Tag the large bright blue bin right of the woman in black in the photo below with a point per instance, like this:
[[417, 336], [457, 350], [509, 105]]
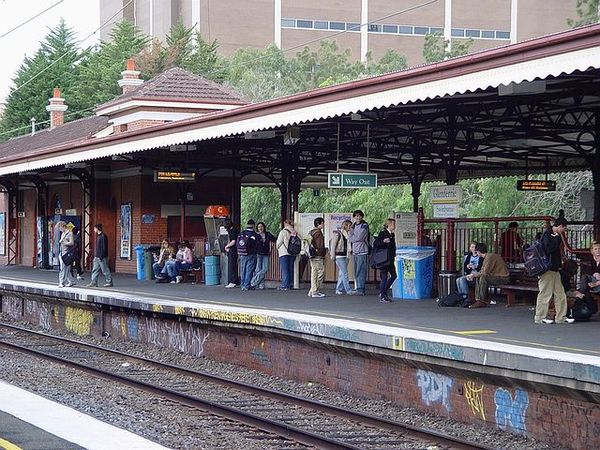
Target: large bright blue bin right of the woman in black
[[414, 266]]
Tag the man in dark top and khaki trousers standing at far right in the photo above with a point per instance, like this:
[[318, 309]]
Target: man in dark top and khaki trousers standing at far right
[[549, 283]]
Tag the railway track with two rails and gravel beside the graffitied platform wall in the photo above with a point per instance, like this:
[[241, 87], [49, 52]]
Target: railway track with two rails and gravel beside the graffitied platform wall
[[303, 421]]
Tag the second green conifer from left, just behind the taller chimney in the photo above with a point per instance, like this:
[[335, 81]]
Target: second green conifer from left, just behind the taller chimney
[[102, 66]]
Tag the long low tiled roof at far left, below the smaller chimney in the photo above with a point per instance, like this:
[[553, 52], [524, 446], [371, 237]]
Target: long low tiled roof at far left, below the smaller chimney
[[75, 131]]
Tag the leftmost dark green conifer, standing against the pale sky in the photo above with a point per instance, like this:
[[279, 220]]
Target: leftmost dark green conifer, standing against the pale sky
[[54, 64]]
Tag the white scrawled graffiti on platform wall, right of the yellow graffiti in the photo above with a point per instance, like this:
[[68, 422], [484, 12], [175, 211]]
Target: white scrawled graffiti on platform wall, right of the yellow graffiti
[[187, 339]]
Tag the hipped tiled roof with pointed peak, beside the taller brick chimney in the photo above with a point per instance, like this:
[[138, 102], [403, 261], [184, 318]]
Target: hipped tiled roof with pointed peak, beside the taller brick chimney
[[179, 84]]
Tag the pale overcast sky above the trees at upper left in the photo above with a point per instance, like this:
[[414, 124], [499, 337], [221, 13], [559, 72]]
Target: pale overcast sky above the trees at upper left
[[81, 15]]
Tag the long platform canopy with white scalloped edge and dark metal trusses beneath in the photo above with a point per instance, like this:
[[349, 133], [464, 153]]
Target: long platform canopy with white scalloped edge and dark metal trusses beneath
[[531, 107]]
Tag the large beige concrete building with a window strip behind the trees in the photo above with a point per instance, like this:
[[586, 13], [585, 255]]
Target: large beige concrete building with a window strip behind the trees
[[361, 25]]
